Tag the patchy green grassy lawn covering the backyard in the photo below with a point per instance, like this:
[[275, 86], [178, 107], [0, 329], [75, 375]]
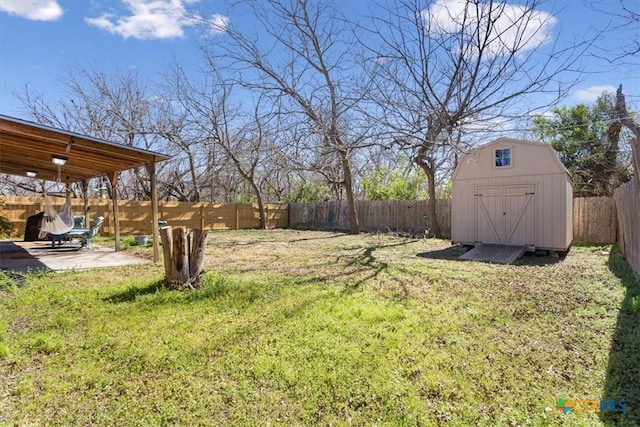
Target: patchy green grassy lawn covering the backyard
[[308, 328]]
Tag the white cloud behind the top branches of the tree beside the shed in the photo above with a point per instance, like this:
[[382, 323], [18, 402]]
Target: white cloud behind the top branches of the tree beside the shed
[[514, 28]]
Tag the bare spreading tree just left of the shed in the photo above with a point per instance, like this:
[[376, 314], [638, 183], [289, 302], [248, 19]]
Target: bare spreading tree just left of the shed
[[446, 65]]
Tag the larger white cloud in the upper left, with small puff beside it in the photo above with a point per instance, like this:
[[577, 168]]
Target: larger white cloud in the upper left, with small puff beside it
[[152, 19]]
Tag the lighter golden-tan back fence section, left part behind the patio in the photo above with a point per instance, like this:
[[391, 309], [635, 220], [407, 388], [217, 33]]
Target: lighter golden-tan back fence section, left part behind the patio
[[135, 216]]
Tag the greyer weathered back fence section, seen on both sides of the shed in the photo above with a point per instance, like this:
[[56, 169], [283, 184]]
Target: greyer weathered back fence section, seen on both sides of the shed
[[594, 218]]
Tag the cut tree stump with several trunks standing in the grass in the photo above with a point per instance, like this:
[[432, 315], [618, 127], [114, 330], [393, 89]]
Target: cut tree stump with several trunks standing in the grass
[[183, 256]]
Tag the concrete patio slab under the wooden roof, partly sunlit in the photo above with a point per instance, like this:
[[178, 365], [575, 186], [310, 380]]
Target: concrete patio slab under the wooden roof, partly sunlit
[[39, 256]]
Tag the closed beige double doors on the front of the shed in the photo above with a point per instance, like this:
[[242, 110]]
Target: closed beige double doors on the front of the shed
[[505, 214]]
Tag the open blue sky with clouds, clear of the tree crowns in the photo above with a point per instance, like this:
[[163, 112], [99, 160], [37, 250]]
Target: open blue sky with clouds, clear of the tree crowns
[[41, 40]]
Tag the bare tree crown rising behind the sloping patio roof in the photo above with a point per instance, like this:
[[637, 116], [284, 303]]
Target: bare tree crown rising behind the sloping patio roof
[[117, 107]]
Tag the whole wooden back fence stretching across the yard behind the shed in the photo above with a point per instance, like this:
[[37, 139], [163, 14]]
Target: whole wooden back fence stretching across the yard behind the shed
[[594, 218]]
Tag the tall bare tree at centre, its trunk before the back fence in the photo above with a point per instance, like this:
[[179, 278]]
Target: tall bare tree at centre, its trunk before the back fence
[[305, 58]]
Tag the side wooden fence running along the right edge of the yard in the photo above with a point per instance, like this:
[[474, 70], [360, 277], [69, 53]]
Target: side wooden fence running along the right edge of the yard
[[627, 199]]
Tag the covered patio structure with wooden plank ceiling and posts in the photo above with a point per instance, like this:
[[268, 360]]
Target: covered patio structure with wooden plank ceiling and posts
[[30, 149]]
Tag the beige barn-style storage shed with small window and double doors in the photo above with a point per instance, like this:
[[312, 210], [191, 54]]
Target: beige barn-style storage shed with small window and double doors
[[512, 192]]
